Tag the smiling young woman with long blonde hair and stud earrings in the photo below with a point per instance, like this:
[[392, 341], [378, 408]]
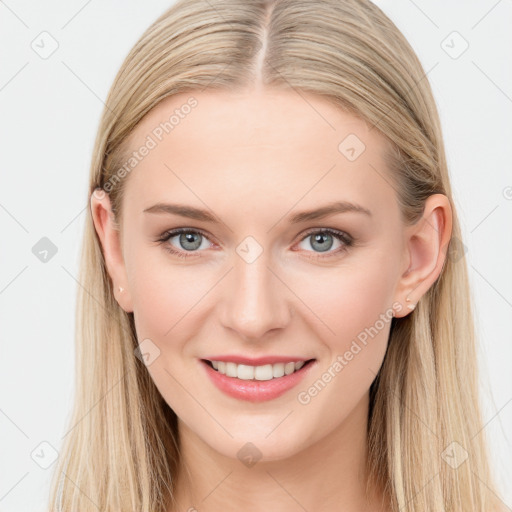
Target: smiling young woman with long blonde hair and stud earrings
[[275, 313]]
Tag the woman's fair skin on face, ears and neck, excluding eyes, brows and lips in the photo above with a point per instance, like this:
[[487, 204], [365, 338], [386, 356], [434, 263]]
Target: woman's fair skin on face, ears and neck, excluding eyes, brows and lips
[[252, 159]]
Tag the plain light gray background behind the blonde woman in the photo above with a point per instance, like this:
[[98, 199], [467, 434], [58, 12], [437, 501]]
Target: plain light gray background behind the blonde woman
[[50, 113]]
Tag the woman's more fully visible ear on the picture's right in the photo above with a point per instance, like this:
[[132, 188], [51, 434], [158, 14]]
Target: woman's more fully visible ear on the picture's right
[[426, 245]]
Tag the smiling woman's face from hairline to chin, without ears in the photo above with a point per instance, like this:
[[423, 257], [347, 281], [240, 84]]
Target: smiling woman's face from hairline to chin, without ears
[[260, 280]]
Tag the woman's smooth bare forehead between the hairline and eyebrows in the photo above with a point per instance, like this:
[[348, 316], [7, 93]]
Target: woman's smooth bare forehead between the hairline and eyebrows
[[279, 147]]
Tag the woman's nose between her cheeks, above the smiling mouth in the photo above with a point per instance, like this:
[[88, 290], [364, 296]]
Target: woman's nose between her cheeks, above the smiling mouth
[[256, 300]]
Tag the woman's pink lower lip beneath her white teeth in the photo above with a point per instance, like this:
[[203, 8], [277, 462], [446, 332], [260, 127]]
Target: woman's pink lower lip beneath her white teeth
[[256, 390]]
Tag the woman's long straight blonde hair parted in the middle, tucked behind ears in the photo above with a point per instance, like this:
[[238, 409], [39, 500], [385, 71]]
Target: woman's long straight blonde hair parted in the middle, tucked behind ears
[[121, 451]]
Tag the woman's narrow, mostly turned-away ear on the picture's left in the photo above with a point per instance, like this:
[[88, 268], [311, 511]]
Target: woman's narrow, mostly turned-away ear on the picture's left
[[109, 235]]
